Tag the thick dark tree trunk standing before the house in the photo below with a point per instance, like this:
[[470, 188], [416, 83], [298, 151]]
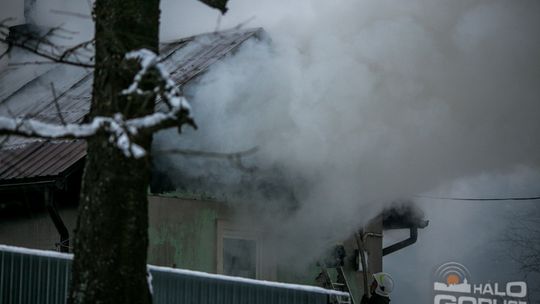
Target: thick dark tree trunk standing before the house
[[112, 229]]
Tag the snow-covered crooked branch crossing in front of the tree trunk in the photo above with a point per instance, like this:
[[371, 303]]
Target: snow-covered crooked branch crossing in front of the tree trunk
[[120, 130]]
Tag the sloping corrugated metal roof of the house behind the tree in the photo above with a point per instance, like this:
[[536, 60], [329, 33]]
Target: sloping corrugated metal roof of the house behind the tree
[[26, 91]]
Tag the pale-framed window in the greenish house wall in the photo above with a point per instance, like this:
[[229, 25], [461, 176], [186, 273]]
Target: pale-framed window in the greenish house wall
[[240, 257]]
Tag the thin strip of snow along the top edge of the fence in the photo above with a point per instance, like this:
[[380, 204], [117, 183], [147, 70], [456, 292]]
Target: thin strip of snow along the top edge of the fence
[[66, 256]]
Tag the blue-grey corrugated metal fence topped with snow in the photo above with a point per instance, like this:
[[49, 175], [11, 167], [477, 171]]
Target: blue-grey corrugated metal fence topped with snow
[[36, 276]]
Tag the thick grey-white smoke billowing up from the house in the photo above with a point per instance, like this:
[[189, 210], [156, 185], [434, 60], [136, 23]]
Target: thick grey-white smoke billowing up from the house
[[359, 103]]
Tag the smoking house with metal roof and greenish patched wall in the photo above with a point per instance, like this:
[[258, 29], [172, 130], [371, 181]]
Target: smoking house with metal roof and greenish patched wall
[[40, 184]]
